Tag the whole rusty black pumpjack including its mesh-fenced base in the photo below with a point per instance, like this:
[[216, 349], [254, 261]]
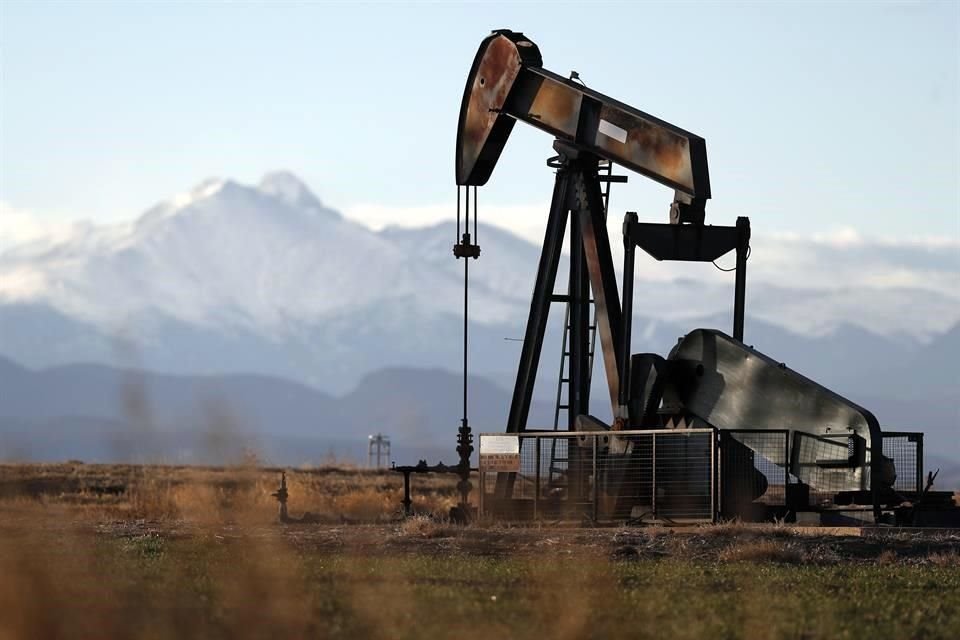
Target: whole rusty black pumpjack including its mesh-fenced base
[[779, 444]]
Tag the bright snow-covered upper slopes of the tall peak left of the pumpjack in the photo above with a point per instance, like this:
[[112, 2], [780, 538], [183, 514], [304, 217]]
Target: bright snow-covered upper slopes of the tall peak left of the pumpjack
[[229, 256]]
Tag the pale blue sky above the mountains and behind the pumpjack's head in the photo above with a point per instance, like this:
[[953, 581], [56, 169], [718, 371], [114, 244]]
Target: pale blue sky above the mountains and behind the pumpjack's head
[[818, 118]]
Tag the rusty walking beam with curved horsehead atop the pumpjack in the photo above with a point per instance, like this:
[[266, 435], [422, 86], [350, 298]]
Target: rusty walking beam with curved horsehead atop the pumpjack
[[508, 83]]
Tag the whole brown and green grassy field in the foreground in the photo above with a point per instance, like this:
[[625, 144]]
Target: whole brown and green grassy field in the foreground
[[96, 551]]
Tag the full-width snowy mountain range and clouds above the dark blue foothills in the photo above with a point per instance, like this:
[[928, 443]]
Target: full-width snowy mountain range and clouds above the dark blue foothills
[[267, 279]]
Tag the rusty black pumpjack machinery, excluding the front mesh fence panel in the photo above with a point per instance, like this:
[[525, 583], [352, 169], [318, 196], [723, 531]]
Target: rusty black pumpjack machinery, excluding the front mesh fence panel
[[709, 379]]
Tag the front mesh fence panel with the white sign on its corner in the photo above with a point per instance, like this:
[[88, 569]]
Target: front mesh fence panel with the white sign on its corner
[[602, 476]]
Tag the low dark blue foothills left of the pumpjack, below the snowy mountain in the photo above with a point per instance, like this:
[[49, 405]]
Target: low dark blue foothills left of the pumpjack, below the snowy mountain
[[100, 413]]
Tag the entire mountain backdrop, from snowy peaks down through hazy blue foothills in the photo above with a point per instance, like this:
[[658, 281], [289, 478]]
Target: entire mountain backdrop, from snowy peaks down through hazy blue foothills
[[313, 329]]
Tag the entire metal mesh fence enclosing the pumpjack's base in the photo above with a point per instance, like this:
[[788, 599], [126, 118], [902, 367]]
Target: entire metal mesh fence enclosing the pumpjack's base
[[683, 475]]
